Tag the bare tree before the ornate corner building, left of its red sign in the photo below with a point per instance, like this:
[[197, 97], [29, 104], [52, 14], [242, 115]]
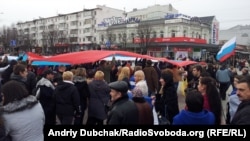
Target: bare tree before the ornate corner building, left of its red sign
[[144, 31]]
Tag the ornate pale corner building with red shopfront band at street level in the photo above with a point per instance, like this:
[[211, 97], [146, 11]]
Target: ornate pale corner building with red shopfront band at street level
[[161, 32]]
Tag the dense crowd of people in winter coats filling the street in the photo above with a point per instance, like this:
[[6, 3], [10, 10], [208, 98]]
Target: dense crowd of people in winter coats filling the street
[[117, 92]]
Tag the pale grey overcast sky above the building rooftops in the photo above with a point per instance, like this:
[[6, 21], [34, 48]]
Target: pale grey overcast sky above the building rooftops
[[228, 12]]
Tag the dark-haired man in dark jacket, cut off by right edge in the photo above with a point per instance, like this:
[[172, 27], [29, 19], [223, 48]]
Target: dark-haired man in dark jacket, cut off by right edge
[[242, 114]]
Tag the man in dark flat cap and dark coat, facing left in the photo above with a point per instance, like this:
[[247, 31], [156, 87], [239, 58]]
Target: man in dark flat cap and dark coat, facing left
[[123, 110]]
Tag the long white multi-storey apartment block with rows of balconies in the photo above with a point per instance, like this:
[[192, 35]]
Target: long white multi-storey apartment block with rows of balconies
[[64, 32]]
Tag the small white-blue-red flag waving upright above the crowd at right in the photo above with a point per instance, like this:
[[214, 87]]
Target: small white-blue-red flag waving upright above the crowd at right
[[226, 50]]
